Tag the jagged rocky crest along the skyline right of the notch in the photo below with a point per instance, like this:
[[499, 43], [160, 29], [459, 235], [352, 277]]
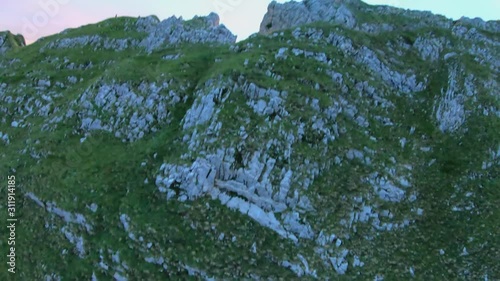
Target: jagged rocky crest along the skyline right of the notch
[[355, 14]]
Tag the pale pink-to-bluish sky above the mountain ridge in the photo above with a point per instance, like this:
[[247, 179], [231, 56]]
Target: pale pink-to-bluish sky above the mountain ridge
[[38, 18]]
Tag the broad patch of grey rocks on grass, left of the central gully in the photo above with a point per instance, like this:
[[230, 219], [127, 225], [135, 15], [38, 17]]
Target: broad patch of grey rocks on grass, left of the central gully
[[135, 111]]
